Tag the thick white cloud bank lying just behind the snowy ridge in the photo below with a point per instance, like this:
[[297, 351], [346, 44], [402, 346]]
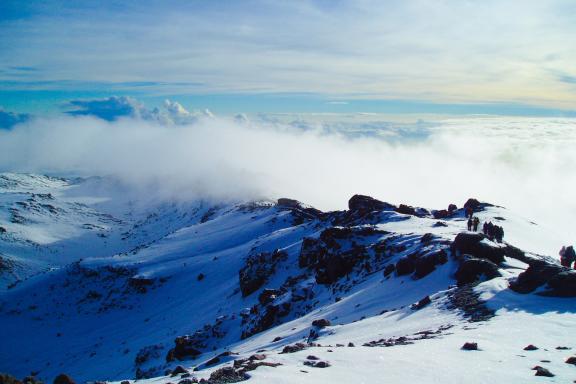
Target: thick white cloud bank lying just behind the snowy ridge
[[524, 164]]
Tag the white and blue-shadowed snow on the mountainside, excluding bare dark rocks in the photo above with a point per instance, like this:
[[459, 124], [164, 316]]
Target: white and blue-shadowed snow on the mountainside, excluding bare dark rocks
[[52, 322]]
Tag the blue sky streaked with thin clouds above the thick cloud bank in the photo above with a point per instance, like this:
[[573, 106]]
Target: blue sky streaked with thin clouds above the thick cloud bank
[[441, 56]]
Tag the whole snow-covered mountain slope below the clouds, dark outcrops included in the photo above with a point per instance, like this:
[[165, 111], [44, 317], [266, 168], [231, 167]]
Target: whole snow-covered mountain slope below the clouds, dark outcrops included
[[110, 289]]
